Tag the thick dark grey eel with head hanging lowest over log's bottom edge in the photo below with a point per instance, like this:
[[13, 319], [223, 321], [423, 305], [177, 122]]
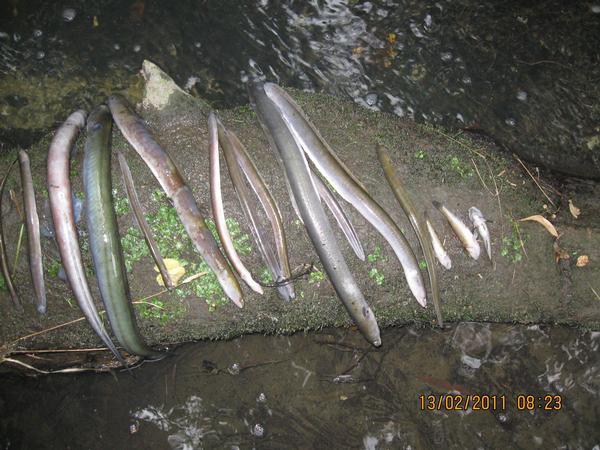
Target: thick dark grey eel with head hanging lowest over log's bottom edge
[[312, 213]]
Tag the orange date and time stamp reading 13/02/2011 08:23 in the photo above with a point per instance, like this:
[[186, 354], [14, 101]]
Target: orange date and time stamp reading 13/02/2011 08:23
[[489, 402]]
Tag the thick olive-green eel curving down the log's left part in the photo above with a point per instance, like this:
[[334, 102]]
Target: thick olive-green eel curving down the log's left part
[[105, 243]]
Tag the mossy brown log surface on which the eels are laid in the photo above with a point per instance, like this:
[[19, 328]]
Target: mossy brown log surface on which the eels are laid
[[524, 284]]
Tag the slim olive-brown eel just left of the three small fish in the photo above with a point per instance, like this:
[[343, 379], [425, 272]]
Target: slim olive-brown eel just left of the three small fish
[[417, 223]]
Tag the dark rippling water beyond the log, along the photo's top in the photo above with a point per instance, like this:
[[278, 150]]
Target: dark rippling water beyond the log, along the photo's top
[[529, 75]]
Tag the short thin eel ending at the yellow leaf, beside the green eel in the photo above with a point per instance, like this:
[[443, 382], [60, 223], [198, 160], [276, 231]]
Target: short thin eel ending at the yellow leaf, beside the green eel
[[138, 213]]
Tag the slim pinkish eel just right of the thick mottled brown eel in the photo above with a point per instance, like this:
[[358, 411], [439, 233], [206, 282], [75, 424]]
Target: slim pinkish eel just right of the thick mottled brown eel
[[216, 200]]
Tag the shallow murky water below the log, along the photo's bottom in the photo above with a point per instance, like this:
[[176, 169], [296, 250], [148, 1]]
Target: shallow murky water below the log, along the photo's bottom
[[329, 390]]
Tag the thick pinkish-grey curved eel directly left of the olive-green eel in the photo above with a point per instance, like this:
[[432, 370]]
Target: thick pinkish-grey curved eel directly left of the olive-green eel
[[61, 206]]
